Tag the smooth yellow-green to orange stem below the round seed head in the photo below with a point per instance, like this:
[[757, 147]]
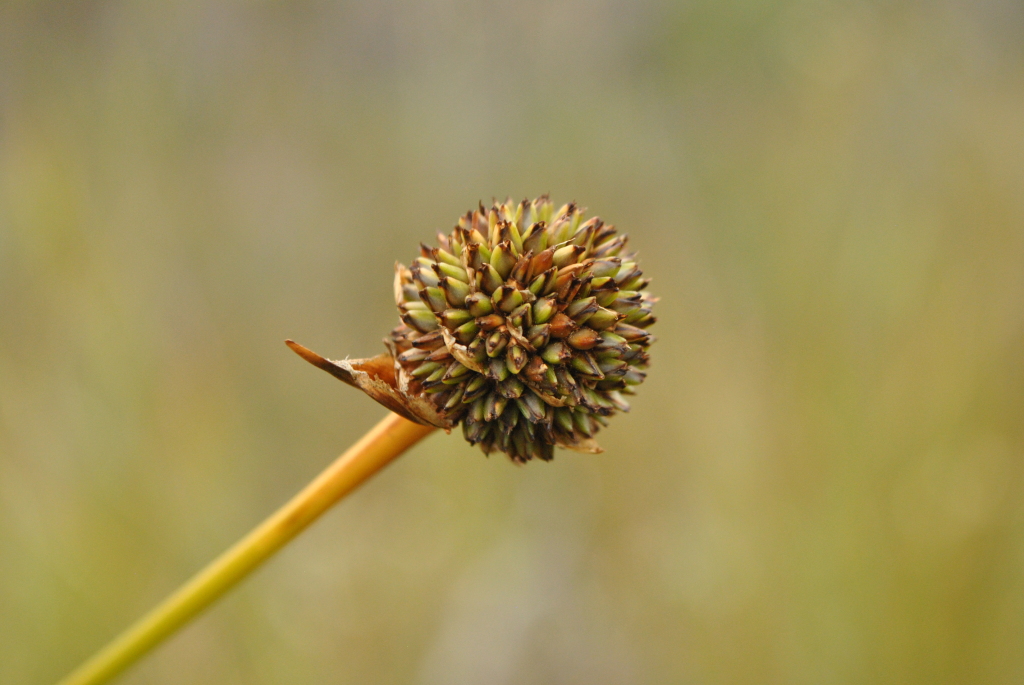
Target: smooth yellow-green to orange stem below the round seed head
[[386, 442]]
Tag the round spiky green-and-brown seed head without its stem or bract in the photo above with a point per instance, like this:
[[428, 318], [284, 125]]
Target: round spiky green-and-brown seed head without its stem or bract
[[526, 324]]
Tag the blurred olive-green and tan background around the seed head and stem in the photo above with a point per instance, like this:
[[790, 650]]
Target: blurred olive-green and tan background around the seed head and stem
[[821, 483]]
